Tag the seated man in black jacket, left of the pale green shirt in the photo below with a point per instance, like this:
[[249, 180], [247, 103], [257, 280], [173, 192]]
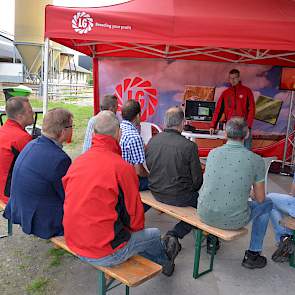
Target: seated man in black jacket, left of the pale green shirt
[[175, 168]]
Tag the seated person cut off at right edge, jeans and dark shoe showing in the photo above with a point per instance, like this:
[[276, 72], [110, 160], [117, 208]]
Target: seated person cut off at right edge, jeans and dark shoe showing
[[282, 205]]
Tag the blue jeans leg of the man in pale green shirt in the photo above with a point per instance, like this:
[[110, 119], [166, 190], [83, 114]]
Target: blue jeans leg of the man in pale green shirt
[[260, 213]]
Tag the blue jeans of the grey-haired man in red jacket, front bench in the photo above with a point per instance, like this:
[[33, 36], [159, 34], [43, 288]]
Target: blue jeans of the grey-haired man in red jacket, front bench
[[146, 242]]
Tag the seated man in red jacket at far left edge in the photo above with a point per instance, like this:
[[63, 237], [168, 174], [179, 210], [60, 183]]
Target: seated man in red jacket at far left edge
[[13, 139]]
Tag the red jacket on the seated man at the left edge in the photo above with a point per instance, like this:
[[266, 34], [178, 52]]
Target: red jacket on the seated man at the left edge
[[13, 139]]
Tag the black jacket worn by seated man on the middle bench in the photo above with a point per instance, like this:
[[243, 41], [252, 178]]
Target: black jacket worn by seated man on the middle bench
[[175, 169]]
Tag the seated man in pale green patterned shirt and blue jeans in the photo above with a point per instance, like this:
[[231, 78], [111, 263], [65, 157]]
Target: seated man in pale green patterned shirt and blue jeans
[[230, 172]]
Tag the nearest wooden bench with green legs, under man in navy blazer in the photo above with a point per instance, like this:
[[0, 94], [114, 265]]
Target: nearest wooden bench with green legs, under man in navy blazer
[[133, 272]]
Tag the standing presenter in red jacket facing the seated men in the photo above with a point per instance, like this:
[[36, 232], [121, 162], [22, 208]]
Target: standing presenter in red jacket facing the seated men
[[235, 101]]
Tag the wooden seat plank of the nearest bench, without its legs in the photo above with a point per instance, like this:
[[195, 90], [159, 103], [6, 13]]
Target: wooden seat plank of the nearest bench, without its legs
[[131, 273]]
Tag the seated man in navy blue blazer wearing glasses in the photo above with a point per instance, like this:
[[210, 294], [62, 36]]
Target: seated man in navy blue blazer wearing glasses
[[37, 195]]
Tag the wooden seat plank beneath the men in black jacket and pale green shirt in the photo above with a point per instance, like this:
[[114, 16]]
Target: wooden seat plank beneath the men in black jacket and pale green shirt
[[189, 215]]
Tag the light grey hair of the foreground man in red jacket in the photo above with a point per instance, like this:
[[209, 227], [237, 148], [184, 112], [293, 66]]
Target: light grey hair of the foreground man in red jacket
[[106, 123]]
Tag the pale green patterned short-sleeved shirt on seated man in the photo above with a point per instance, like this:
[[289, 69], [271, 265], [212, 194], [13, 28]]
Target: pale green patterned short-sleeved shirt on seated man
[[231, 170]]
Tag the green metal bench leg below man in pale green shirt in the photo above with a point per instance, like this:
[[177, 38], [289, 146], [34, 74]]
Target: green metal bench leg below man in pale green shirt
[[198, 244]]
